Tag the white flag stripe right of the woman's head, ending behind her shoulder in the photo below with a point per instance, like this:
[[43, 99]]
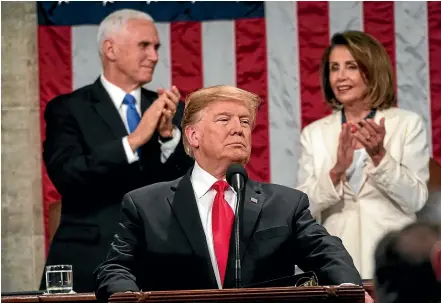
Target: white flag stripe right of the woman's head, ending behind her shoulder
[[412, 60]]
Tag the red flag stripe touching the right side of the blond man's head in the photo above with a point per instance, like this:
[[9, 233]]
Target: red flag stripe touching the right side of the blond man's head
[[251, 75]]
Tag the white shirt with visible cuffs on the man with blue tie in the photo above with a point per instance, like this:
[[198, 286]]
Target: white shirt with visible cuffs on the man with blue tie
[[117, 95]]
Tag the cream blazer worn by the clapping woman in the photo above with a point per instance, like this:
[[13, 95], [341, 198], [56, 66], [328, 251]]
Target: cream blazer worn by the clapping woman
[[390, 194]]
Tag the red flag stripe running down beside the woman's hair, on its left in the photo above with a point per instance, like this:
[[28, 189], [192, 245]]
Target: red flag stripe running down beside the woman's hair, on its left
[[313, 30]]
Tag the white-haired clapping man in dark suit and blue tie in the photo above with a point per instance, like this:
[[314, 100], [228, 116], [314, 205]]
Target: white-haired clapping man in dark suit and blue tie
[[108, 138]]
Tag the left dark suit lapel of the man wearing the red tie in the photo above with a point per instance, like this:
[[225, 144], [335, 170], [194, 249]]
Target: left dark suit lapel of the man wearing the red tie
[[183, 204]]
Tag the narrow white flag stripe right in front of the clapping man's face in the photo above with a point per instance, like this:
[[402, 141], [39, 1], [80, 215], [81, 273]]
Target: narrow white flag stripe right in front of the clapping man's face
[[162, 75]]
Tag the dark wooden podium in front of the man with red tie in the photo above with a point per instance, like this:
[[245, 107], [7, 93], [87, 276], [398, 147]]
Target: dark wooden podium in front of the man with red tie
[[347, 294]]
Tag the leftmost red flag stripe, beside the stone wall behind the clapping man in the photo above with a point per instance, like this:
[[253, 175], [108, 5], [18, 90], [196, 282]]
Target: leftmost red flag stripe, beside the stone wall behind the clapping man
[[55, 76]]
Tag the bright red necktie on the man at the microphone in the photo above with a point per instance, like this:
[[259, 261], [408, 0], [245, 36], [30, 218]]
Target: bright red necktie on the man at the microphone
[[222, 218]]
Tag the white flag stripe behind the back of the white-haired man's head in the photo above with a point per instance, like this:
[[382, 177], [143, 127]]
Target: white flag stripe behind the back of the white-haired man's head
[[86, 62]]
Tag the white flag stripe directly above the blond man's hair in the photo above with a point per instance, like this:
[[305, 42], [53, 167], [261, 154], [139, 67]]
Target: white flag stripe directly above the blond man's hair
[[218, 53]]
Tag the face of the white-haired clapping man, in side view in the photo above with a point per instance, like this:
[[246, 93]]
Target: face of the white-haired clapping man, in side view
[[136, 51]]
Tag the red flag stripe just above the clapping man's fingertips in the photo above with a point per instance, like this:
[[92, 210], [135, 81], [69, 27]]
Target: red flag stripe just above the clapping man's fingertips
[[186, 56]]
